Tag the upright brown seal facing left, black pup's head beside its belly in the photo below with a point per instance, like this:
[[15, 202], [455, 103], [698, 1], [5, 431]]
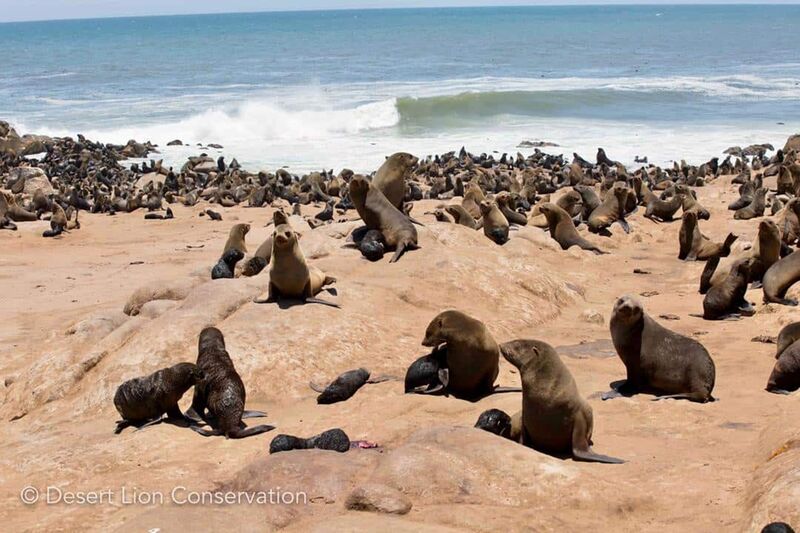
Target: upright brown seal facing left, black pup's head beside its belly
[[555, 419]]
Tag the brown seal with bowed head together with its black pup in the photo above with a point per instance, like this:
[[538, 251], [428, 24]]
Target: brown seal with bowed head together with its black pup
[[466, 366]]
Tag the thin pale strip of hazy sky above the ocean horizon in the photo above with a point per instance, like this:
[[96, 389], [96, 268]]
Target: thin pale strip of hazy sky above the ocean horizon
[[16, 10]]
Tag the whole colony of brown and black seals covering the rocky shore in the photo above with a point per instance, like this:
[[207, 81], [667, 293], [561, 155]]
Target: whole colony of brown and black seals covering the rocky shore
[[574, 203]]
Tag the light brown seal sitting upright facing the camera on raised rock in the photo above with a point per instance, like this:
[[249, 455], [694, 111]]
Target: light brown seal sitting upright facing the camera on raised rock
[[289, 274]]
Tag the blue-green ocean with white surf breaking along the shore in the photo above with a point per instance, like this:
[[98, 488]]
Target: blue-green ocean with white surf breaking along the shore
[[335, 89]]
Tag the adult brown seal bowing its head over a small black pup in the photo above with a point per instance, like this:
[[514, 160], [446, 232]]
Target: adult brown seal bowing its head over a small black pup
[[472, 355]]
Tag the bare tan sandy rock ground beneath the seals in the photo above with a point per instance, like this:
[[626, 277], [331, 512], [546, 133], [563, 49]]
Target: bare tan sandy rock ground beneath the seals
[[65, 345]]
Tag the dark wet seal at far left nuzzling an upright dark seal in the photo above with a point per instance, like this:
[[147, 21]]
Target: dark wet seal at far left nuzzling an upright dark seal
[[143, 401]]
